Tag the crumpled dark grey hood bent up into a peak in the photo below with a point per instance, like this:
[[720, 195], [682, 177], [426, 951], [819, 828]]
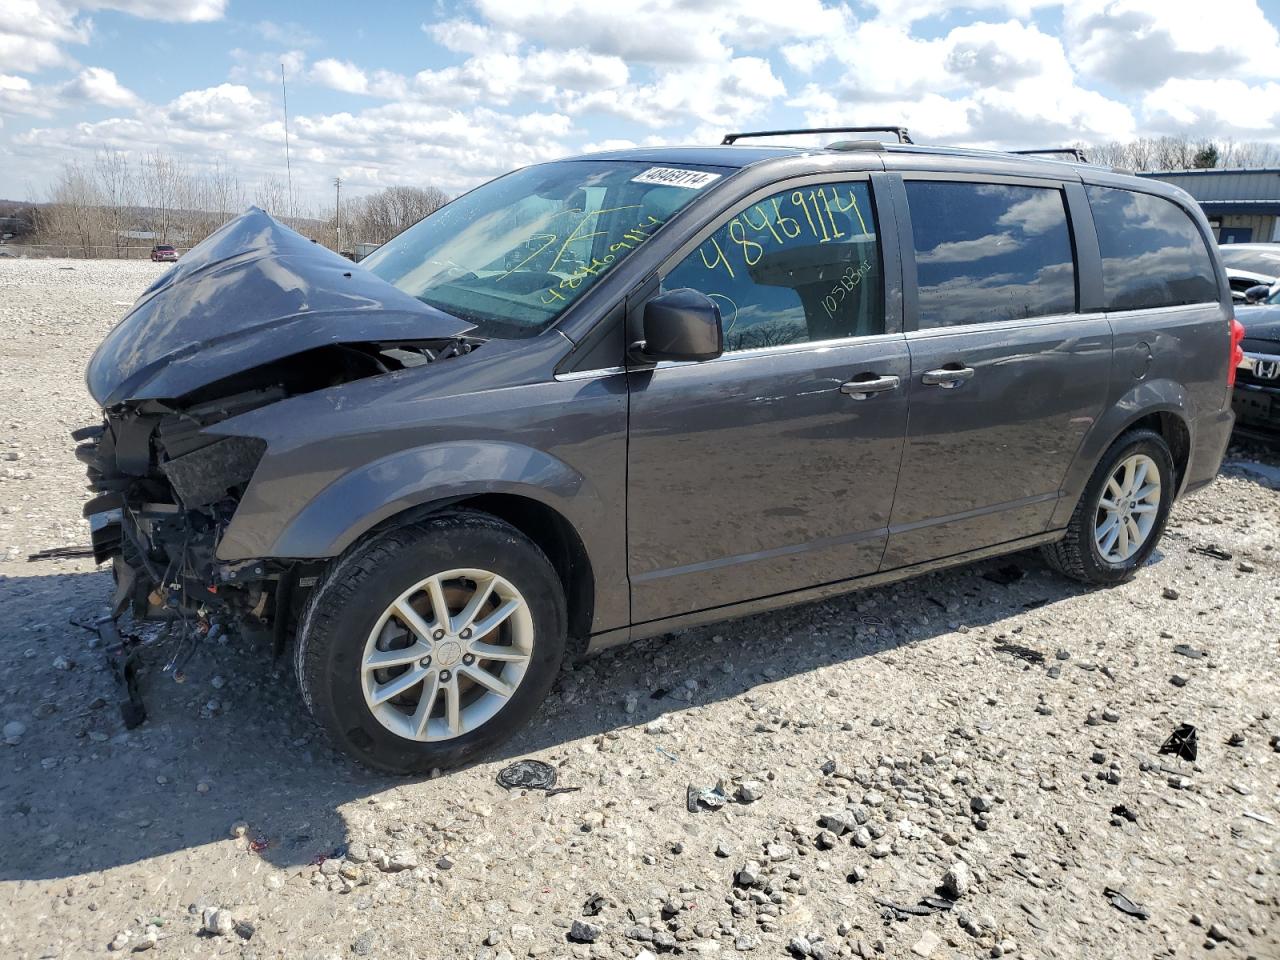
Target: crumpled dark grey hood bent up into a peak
[[253, 292]]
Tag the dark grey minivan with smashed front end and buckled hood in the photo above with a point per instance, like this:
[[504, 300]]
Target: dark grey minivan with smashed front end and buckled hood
[[610, 397]]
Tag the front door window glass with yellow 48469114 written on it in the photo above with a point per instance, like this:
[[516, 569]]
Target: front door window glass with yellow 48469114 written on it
[[803, 266]]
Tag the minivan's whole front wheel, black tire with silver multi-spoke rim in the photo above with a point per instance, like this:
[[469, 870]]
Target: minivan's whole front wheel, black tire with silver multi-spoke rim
[[350, 619]]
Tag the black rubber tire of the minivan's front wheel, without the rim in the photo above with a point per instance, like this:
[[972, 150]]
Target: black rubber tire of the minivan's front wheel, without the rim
[[363, 583]]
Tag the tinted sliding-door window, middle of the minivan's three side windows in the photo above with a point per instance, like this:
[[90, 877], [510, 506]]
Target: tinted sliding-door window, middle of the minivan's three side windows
[[990, 252]]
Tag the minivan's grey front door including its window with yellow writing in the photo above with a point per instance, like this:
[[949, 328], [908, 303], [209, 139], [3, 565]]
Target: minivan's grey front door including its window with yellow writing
[[772, 468]]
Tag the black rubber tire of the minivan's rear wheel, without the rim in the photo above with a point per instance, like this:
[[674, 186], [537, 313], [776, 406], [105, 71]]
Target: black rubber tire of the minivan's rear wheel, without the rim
[[1077, 555]]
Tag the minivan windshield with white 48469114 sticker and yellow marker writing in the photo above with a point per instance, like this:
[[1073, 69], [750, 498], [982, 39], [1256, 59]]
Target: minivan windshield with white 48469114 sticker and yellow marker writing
[[513, 255]]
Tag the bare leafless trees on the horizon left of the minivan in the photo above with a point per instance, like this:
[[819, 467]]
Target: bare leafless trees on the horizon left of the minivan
[[117, 208]]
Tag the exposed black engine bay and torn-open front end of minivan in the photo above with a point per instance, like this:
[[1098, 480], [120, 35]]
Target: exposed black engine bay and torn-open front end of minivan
[[167, 487]]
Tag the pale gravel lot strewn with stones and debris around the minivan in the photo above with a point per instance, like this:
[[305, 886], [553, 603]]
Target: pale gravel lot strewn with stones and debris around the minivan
[[995, 724]]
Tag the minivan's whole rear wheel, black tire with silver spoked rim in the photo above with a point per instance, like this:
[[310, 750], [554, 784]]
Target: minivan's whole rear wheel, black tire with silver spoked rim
[[1122, 515]]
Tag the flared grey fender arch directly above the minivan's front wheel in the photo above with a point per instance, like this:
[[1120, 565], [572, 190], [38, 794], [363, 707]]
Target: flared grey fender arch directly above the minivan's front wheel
[[360, 500]]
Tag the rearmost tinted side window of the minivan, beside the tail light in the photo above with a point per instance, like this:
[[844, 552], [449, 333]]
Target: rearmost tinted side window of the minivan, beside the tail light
[[1153, 254]]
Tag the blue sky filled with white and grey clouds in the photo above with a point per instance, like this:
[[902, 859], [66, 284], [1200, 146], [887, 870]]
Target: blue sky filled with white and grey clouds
[[450, 94]]
